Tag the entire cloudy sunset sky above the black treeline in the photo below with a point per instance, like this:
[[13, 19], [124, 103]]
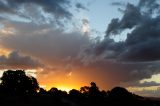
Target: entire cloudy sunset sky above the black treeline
[[70, 43]]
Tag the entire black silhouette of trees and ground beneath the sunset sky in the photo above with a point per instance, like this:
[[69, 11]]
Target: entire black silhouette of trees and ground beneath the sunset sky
[[18, 89]]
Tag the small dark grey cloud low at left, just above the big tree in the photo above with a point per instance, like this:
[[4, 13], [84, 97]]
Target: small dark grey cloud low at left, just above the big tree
[[15, 60]]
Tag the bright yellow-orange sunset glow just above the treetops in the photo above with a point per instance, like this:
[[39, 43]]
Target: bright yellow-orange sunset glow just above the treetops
[[62, 80]]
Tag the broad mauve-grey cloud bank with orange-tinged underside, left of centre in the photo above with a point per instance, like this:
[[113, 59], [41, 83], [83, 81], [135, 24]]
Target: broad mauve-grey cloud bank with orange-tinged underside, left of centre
[[53, 46]]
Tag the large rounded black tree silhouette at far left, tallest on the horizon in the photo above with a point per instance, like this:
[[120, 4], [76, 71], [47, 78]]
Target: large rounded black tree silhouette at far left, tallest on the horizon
[[18, 83]]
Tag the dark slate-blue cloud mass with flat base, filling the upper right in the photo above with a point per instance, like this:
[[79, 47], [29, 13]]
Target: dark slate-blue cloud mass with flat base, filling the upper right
[[143, 39]]
